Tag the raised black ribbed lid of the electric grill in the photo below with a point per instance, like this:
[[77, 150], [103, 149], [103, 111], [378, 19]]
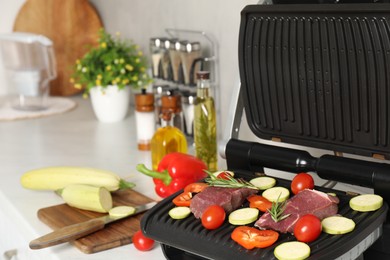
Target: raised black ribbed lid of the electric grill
[[318, 75]]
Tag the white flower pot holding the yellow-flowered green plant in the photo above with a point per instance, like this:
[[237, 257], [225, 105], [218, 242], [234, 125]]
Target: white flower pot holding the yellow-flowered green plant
[[110, 104]]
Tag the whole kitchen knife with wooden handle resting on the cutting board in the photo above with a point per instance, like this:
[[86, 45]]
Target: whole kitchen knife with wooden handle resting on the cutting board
[[78, 230]]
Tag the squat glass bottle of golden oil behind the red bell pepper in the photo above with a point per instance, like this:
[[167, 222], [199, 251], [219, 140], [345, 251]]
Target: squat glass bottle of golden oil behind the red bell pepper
[[167, 139]]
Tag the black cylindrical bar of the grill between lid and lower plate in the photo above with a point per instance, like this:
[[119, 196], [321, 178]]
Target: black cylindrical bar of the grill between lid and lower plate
[[253, 157]]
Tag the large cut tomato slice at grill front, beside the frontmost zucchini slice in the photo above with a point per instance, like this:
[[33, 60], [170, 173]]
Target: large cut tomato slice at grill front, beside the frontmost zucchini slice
[[250, 237]]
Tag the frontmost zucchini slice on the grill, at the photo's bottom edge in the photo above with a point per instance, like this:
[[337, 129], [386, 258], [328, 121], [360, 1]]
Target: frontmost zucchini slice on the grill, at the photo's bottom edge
[[293, 250]]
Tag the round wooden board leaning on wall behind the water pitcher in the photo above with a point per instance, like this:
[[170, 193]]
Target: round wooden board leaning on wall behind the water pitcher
[[72, 25]]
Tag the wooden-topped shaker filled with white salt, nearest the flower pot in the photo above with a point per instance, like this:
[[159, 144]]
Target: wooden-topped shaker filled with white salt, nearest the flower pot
[[145, 119]]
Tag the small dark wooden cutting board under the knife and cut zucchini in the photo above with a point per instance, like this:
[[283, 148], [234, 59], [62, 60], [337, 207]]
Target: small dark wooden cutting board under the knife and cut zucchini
[[113, 235]]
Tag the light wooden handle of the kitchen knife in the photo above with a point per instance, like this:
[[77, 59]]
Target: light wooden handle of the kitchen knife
[[68, 233]]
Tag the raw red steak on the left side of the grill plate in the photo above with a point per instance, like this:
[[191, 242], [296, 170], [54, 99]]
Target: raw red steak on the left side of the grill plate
[[228, 198]]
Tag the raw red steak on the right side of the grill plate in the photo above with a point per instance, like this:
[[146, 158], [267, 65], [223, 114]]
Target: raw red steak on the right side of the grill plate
[[305, 202]]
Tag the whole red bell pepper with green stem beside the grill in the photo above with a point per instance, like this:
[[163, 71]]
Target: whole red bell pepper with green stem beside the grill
[[174, 172]]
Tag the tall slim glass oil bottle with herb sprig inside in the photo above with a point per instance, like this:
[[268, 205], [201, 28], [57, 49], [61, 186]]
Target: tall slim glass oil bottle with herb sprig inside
[[205, 128]]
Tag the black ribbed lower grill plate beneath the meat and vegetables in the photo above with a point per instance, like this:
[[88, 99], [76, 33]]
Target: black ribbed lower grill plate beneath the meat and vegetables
[[189, 234]]
